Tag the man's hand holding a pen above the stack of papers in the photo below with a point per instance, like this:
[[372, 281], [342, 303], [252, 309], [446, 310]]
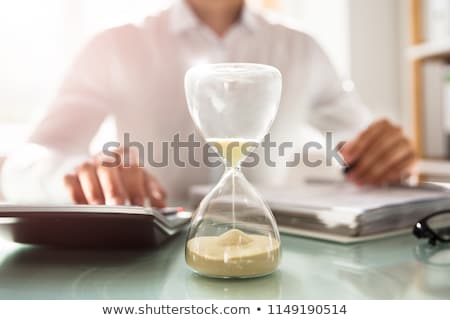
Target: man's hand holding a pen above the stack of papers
[[382, 154]]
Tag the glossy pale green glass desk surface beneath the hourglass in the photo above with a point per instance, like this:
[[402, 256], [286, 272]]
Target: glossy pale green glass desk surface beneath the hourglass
[[394, 268]]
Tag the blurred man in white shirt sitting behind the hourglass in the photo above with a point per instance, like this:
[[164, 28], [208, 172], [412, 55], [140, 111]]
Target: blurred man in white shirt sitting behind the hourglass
[[135, 74]]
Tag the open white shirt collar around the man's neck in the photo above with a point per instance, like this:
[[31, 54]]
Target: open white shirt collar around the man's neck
[[182, 18]]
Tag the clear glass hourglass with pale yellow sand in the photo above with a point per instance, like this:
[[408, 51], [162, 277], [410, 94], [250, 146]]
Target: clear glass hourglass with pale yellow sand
[[233, 233]]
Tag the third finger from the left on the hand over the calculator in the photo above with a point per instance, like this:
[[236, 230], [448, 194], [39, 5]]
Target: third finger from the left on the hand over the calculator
[[112, 185]]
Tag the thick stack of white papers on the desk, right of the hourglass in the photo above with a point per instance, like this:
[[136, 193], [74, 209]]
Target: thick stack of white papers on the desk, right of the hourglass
[[344, 212]]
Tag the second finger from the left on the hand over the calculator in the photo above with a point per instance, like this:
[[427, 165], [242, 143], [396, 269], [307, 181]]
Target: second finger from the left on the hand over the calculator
[[87, 175]]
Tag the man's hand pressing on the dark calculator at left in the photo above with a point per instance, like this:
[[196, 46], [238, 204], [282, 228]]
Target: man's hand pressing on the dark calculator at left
[[93, 182]]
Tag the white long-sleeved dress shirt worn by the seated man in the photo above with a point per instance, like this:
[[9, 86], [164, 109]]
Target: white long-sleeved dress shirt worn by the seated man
[[135, 73]]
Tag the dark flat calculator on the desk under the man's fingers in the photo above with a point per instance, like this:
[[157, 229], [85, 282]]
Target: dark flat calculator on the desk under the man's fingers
[[98, 226]]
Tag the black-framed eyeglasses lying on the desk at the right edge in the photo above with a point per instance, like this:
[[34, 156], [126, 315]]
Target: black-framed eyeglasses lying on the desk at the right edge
[[435, 227]]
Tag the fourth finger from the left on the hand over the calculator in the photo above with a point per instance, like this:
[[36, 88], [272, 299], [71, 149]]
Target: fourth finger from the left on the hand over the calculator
[[134, 181]]
